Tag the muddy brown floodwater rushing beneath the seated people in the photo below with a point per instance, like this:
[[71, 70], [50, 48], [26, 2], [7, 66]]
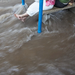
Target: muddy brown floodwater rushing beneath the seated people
[[25, 52]]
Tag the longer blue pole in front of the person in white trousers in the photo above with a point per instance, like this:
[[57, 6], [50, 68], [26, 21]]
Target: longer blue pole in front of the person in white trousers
[[40, 16]]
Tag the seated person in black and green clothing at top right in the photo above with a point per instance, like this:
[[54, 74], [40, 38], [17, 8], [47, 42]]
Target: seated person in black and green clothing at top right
[[63, 3]]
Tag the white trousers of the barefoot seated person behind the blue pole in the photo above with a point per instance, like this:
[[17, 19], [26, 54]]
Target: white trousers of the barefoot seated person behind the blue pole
[[34, 7]]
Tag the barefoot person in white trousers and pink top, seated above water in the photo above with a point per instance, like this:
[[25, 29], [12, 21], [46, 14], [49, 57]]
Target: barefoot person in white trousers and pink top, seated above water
[[34, 8]]
